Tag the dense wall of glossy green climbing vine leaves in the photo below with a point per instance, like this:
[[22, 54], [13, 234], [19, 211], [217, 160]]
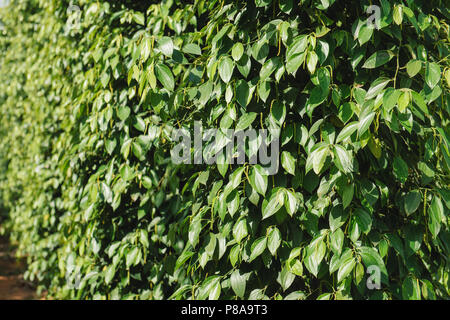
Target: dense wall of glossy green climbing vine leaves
[[93, 200]]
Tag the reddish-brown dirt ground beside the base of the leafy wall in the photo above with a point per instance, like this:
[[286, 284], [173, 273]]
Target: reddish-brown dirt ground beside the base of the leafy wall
[[12, 285]]
